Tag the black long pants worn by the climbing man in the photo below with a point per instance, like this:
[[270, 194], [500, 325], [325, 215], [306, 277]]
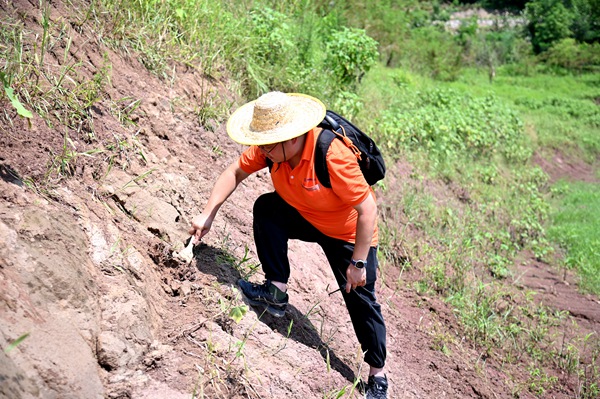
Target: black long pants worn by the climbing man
[[276, 222]]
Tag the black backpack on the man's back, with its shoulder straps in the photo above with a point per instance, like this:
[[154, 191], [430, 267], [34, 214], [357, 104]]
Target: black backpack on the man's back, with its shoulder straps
[[368, 155]]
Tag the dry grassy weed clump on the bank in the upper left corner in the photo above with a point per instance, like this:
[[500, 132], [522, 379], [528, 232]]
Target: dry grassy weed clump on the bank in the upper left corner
[[60, 95]]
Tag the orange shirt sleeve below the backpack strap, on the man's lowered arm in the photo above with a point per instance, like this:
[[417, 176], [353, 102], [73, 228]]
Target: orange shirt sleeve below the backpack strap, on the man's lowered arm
[[347, 180]]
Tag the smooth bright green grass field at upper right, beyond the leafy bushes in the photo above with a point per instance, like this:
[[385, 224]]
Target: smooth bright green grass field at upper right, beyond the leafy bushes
[[561, 111]]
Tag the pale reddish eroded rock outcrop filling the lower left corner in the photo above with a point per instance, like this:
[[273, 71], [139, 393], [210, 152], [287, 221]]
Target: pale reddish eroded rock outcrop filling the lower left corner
[[83, 312]]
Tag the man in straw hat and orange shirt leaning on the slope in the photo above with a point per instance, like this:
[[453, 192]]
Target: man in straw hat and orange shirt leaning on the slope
[[342, 219]]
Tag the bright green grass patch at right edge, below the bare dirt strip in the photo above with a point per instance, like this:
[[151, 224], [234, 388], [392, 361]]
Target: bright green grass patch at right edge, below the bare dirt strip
[[576, 228]]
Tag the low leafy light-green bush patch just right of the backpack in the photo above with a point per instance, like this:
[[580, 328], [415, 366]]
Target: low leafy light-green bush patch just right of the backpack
[[448, 124]]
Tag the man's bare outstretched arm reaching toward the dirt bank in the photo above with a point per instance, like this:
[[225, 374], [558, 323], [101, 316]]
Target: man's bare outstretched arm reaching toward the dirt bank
[[223, 188]]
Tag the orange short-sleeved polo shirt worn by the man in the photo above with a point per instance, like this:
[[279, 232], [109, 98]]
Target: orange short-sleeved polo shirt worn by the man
[[331, 211]]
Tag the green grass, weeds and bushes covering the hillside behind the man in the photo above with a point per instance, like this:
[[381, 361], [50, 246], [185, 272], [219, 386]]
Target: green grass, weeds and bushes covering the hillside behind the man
[[466, 110]]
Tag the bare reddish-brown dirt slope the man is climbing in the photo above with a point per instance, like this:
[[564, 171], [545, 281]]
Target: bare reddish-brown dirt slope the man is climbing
[[86, 269]]
